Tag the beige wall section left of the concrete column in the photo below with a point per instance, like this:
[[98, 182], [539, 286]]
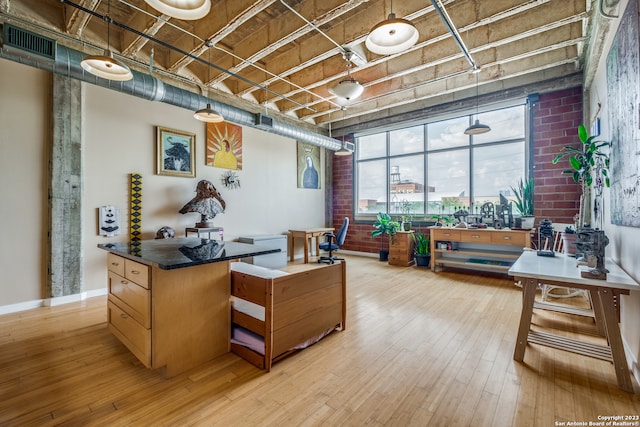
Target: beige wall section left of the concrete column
[[24, 124]]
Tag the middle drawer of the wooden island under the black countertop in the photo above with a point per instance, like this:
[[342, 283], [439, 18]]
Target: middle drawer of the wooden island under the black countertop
[[135, 299]]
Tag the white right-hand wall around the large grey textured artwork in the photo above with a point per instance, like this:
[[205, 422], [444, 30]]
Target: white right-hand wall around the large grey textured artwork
[[624, 246]]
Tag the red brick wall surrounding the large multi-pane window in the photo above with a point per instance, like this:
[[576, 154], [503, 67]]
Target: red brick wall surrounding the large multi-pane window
[[556, 118]]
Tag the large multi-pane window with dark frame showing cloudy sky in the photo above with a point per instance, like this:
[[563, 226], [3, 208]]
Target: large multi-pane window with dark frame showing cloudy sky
[[435, 169]]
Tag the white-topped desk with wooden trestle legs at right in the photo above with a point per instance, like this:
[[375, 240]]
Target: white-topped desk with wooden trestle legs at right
[[561, 270]]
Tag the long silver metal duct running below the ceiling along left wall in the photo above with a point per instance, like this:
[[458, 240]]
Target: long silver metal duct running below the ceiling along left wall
[[67, 63]]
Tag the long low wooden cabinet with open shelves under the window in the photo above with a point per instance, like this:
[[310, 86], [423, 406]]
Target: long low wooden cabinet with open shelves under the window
[[486, 249]]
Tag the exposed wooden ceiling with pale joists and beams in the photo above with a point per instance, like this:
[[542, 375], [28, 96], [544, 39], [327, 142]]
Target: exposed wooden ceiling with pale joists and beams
[[280, 54]]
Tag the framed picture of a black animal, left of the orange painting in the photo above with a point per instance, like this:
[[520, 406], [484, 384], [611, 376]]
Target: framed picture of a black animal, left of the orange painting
[[175, 152]]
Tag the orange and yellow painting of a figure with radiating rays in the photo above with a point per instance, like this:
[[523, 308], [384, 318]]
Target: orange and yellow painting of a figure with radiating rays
[[224, 146]]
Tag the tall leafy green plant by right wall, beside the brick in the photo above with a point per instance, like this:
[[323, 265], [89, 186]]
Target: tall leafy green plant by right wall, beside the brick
[[585, 162]]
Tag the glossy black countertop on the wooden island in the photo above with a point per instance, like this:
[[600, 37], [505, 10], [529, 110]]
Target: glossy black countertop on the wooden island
[[168, 254]]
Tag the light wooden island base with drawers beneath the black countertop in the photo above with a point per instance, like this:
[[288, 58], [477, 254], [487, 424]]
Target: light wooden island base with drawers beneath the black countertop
[[169, 319]]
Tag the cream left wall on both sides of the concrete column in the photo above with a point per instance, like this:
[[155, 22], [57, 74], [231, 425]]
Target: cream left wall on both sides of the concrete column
[[120, 139]]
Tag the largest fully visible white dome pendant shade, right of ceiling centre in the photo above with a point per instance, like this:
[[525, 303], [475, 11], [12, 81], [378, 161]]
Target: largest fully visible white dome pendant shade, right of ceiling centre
[[393, 35]]
